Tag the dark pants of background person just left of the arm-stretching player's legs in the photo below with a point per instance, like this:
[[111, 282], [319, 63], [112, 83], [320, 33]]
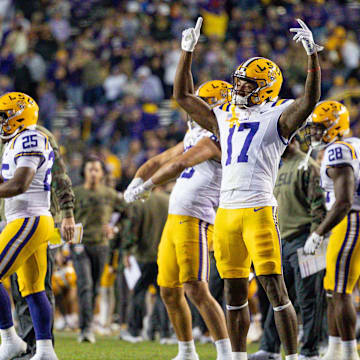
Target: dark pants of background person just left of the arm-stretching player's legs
[[137, 309]]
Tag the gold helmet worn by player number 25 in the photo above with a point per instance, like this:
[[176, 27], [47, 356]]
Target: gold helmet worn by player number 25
[[17, 112]]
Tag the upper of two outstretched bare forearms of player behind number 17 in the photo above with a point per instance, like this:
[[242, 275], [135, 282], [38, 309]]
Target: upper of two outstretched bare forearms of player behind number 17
[[152, 165]]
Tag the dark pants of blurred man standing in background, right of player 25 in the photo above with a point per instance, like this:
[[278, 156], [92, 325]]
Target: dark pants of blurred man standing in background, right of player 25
[[89, 262]]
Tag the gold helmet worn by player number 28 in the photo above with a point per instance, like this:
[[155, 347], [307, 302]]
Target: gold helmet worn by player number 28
[[329, 122]]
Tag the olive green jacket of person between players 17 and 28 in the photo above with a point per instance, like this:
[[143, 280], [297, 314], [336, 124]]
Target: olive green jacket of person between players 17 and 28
[[300, 198]]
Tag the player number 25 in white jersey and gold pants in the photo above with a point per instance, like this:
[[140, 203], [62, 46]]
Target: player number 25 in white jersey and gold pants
[[26, 178]]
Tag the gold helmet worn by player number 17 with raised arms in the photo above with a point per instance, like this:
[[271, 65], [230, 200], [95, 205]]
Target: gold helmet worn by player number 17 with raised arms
[[264, 74]]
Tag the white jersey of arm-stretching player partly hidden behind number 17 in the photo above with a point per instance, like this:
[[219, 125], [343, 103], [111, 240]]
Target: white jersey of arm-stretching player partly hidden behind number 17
[[197, 189]]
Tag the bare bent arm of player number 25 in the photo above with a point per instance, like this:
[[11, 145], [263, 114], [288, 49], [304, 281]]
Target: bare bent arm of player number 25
[[18, 184]]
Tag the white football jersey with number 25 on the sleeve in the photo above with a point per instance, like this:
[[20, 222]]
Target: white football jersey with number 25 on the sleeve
[[32, 149]]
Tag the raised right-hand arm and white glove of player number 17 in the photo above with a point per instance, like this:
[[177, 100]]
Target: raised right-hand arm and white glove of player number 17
[[296, 114]]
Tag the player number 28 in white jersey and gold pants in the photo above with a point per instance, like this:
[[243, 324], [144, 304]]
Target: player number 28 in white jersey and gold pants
[[340, 178]]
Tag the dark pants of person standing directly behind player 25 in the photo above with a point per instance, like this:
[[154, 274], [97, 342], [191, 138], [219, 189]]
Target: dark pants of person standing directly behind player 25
[[26, 327]]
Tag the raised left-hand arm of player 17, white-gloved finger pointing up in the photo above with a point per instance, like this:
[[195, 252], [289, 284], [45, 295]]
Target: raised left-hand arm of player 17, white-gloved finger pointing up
[[197, 109]]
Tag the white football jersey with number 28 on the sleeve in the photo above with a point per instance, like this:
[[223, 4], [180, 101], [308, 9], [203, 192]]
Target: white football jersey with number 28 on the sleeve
[[338, 153]]
